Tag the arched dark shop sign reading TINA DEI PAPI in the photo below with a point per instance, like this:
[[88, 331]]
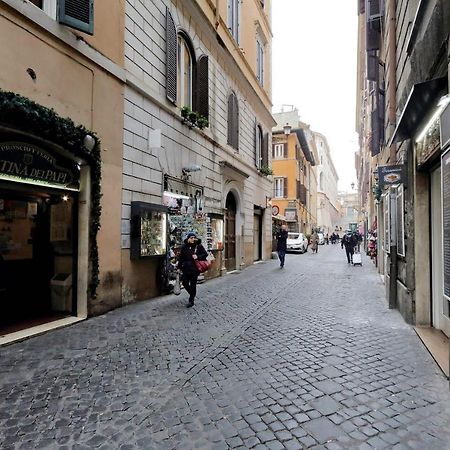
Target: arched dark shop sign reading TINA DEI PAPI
[[20, 161]]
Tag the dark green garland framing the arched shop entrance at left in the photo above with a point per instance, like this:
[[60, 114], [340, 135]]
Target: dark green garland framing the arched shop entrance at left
[[23, 114]]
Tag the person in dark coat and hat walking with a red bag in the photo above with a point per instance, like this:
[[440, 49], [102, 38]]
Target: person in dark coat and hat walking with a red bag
[[191, 251]]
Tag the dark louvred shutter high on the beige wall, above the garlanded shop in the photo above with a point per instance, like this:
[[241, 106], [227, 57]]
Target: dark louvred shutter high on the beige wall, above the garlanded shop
[[78, 14]]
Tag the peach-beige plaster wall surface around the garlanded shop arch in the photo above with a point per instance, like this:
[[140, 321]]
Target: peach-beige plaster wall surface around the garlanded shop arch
[[75, 88]]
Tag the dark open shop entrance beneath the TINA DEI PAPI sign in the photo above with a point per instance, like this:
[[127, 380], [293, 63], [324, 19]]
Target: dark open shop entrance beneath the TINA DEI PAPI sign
[[37, 255]]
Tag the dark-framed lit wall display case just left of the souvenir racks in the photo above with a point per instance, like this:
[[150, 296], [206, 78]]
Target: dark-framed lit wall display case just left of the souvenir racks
[[148, 230]]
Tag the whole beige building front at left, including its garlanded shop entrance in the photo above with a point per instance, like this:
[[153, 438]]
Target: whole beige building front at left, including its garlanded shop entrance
[[60, 131]]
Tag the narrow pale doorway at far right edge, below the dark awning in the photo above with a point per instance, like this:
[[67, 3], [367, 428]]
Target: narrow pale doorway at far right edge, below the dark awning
[[440, 305]]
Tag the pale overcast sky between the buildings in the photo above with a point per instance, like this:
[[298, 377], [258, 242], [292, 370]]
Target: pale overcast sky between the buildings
[[314, 69]]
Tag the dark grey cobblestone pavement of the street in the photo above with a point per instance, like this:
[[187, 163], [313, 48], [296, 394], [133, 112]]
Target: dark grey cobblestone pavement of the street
[[305, 357]]
